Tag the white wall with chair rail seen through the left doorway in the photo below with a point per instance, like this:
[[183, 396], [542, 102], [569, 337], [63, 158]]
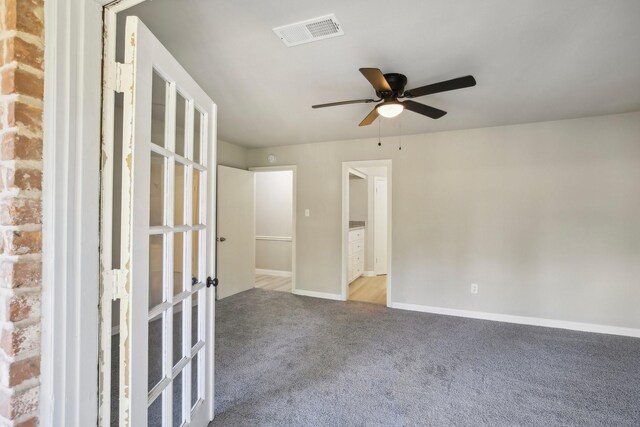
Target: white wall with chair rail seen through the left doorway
[[274, 198]]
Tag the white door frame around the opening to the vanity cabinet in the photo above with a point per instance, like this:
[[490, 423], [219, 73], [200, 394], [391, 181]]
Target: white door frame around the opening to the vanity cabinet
[[345, 222]]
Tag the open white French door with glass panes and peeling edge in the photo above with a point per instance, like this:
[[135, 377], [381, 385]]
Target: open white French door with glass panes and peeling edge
[[168, 226]]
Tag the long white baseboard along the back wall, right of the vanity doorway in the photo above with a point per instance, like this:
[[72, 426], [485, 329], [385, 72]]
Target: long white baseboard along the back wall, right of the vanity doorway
[[522, 320]]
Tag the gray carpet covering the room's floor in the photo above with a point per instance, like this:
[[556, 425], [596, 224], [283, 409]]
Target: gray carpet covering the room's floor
[[285, 360]]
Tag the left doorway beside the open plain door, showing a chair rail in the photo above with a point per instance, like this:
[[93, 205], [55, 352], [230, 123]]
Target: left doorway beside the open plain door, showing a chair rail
[[275, 243]]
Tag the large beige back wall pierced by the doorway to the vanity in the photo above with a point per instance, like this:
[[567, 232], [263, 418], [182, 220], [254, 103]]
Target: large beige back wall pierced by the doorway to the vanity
[[545, 217]]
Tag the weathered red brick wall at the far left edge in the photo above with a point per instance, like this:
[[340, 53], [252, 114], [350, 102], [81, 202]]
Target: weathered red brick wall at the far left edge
[[22, 86]]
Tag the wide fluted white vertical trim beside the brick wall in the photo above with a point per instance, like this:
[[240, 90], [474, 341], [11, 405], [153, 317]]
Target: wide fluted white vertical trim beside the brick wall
[[70, 270]]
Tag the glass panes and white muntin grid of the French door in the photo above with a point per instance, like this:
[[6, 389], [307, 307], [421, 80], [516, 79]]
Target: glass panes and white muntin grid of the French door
[[176, 326]]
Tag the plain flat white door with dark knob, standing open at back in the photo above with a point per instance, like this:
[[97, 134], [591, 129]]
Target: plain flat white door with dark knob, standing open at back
[[236, 231]]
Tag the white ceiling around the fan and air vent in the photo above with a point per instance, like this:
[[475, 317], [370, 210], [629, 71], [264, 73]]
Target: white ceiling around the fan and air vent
[[534, 60]]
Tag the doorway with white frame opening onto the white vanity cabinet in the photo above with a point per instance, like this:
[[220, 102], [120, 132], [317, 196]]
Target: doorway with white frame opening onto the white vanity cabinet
[[366, 224]]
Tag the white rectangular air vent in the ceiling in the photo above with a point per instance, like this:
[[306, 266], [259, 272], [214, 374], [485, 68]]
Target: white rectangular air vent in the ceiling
[[309, 31]]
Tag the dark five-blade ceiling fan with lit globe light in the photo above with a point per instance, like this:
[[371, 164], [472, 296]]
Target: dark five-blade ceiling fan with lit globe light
[[390, 88]]
